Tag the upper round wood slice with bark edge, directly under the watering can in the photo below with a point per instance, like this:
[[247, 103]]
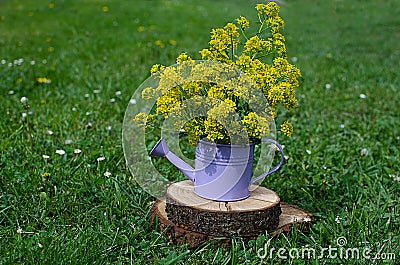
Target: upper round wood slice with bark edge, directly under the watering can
[[249, 217]]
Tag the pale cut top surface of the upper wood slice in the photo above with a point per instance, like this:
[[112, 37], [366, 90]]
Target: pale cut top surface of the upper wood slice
[[260, 199]]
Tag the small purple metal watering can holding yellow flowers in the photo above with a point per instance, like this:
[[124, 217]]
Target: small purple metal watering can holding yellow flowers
[[222, 172]]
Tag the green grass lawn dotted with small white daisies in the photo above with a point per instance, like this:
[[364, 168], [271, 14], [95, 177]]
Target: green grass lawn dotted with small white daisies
[[63, 209]]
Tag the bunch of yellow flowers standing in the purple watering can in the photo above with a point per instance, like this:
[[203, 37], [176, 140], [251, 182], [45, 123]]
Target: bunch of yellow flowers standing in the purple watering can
[[262, 57]]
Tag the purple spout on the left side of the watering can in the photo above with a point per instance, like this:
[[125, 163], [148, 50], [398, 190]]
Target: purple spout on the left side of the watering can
[[161, 149]]
